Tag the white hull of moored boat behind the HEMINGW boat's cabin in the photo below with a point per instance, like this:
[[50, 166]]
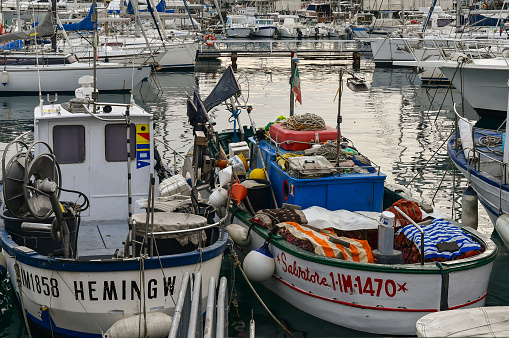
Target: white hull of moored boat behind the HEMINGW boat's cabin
[[65, 78]]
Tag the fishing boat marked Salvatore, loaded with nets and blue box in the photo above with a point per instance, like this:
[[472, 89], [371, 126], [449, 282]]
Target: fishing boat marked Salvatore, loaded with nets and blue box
[[311, 234]]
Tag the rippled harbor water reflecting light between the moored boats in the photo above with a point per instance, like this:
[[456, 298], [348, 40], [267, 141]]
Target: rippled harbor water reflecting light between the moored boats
[[398, 124]]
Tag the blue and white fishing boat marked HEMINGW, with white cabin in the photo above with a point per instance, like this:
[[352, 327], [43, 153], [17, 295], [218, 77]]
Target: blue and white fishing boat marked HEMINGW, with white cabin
[[79, 267]]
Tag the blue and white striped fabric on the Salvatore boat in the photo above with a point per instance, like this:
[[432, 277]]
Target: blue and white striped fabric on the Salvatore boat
[[439, 231]]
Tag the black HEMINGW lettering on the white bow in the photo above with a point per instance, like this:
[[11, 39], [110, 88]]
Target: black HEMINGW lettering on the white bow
[[123, 290]]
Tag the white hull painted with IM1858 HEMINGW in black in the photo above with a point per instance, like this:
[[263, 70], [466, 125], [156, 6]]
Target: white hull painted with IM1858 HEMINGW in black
[[91, 302]]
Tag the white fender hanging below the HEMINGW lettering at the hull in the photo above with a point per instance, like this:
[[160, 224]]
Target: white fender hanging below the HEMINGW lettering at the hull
[[158, 325]]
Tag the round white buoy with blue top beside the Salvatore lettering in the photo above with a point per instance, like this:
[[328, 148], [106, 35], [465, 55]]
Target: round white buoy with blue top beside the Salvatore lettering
[[259, 264]]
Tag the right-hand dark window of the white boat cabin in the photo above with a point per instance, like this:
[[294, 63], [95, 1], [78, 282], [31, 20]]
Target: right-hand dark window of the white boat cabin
[[116, 142]]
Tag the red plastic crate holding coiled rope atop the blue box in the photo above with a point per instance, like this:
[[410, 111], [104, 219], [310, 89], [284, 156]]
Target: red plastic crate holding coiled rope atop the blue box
[[280, 134]]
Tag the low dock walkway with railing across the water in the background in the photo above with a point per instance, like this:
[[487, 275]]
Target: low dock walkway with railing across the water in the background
[[306, 48]]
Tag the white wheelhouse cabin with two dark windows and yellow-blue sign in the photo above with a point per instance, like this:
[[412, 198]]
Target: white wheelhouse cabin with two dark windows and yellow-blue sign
[[90, 146]]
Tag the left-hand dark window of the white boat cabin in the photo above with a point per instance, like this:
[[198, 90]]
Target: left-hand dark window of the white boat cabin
[[69, 143]]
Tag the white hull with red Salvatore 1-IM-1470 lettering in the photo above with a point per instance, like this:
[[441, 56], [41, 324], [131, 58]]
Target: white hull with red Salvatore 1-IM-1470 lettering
[[373, 298]]
